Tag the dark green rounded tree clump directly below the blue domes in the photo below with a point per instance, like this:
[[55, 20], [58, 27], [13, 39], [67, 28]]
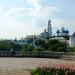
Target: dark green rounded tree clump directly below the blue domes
[[55, 45]]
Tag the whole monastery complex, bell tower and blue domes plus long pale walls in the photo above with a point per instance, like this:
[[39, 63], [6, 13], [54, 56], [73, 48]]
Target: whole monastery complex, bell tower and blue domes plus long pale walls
[[61, 33]]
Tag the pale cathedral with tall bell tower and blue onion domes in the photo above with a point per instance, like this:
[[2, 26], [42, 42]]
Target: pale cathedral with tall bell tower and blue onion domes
[[59, 33]]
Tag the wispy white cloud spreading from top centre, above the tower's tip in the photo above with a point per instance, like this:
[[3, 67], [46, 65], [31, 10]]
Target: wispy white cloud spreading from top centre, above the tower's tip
[[36, 11]]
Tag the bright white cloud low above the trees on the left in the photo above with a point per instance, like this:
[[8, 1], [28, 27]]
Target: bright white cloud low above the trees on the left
[[11, 29]]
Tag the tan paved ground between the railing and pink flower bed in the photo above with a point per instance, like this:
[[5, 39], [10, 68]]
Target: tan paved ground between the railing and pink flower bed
[[13, 65]]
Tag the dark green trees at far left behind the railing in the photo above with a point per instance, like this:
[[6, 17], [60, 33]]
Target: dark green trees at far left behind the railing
[[6, 45]]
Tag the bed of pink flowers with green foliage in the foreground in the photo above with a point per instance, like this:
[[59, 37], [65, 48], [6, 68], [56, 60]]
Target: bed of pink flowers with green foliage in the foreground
[[55, 69]]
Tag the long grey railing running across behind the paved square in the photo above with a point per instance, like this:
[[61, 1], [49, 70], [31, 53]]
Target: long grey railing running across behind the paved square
[[34, 54]]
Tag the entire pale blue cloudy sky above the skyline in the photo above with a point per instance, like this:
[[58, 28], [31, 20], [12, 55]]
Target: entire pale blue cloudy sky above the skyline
[[19, 18]]
